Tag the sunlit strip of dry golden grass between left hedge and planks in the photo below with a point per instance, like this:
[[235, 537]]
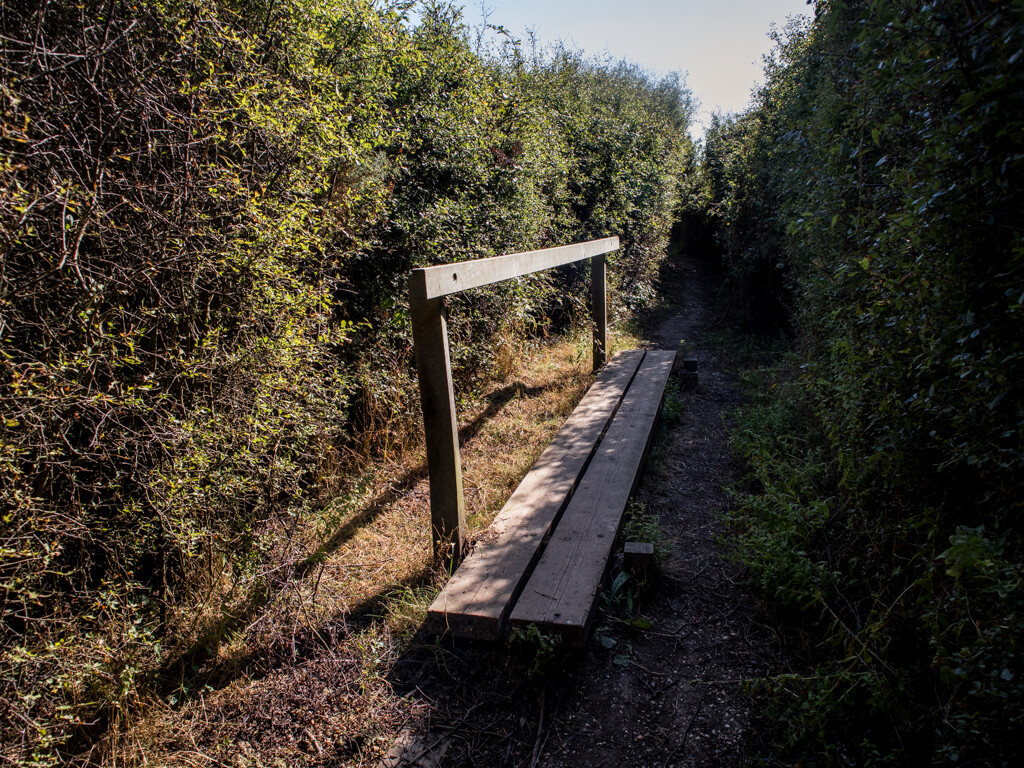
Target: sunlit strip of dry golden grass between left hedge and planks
[[306, 681]]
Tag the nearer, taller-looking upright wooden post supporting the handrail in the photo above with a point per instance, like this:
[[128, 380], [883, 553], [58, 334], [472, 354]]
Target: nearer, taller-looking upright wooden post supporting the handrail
[[448, 507]]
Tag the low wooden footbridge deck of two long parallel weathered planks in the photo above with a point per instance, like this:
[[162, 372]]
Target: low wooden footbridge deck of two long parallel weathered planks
[[601, 450]]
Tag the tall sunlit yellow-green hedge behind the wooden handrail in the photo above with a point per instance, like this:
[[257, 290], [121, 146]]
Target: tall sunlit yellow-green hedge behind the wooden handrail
[[209, 211]]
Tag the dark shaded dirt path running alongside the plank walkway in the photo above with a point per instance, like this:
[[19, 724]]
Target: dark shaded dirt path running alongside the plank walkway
[[662, 691]]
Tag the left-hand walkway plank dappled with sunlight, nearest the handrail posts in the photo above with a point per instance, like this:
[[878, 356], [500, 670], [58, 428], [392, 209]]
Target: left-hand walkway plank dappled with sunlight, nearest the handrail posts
[[477, 601]]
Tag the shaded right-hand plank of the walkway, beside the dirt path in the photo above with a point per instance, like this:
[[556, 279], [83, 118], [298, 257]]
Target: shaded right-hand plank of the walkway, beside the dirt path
[[563, 590]]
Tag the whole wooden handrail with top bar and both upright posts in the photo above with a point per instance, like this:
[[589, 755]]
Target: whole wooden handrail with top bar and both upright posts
[[428, 289]]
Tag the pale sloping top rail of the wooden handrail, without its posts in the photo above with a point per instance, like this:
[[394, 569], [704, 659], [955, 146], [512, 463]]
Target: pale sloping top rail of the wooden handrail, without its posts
[[435, 282]]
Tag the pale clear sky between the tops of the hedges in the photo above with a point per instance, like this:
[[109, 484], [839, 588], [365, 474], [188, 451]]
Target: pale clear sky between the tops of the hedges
[[717, 45]]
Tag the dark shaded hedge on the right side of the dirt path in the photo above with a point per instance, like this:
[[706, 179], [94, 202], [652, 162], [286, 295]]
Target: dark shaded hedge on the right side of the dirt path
[[880, 173]]
